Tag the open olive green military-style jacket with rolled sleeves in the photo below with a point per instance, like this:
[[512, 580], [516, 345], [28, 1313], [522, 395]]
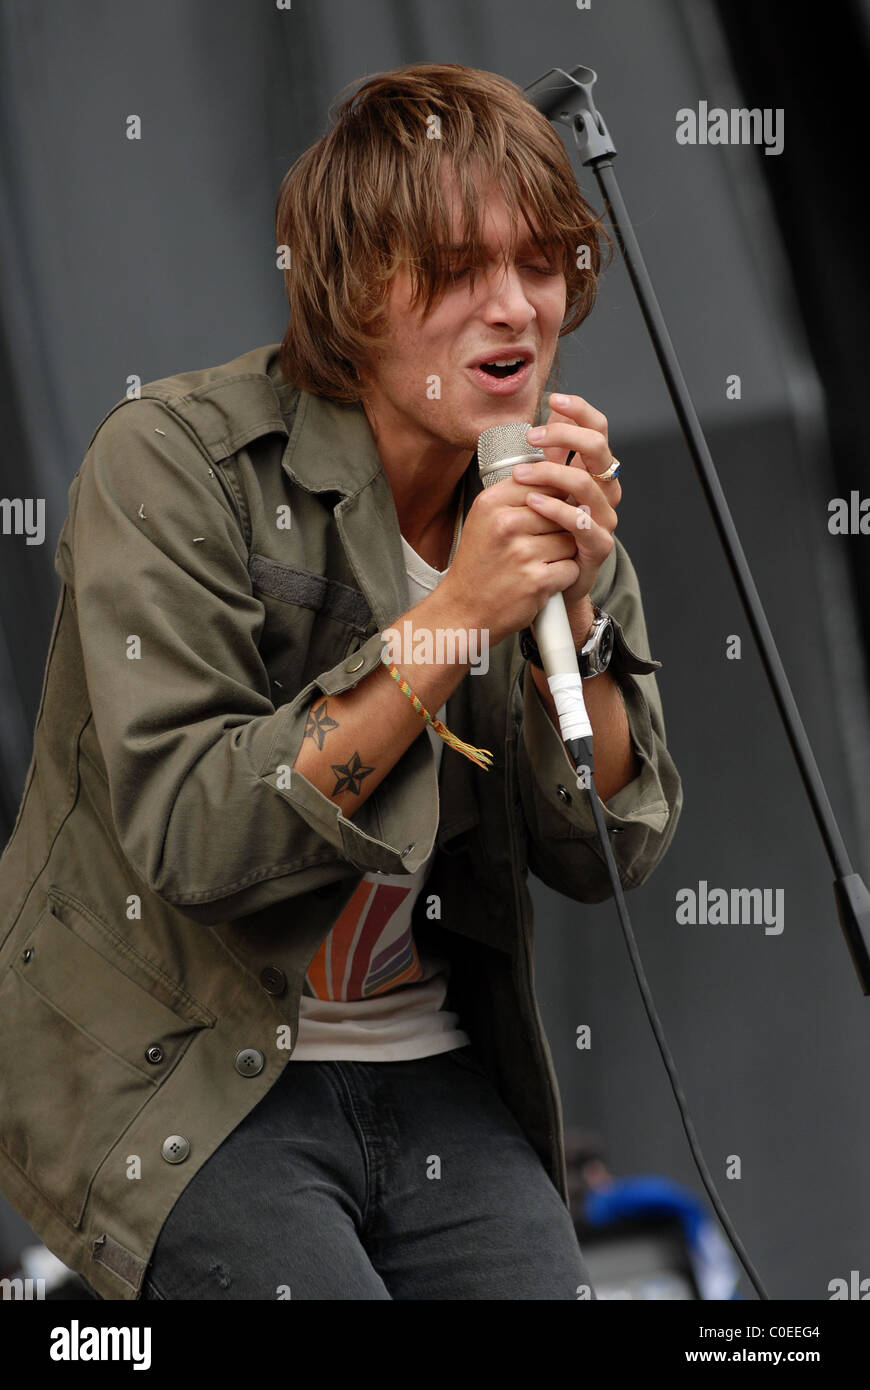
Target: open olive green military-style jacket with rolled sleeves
[[231, 553]]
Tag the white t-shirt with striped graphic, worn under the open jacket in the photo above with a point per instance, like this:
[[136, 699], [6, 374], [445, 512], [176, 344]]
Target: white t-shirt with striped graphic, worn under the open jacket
[[370, 996]]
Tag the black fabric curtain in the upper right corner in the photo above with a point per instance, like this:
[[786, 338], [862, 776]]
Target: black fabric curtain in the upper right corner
[[818, 73]]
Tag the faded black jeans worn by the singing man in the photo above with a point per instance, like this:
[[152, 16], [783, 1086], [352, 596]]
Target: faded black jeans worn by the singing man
[[372, 1181]]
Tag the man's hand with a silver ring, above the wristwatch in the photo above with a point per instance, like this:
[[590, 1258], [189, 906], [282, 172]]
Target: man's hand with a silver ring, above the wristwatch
[[582, 427]]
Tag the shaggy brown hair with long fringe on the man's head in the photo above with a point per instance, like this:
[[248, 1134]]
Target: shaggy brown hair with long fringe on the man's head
[[368, 198]]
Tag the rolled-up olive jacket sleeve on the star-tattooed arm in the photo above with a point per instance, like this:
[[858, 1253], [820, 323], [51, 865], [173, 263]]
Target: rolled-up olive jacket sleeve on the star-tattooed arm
[[205, 801]]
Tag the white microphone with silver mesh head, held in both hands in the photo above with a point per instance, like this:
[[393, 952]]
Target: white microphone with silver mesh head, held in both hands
[[498, 451]]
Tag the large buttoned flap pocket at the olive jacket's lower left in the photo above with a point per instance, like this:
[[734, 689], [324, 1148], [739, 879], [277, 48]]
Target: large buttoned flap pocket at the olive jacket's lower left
[[83, 1049]]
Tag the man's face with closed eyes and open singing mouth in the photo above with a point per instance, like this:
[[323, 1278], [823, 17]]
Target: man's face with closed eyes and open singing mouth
[[427, 386]]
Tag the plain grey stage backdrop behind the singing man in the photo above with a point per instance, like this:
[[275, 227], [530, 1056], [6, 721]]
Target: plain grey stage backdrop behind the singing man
[[156, 256]]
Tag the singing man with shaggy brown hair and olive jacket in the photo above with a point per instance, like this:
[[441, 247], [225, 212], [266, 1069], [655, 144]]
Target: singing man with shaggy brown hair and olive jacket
[[269, 1027]]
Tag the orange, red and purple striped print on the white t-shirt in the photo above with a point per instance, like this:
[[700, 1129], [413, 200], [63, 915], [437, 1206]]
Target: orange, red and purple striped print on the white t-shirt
[[370, 947]]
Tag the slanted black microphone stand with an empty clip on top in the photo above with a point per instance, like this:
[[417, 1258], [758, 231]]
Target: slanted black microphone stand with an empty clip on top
[[568, 98]]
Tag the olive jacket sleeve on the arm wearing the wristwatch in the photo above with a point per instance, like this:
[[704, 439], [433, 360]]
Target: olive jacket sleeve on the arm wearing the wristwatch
[[641, 818]]
